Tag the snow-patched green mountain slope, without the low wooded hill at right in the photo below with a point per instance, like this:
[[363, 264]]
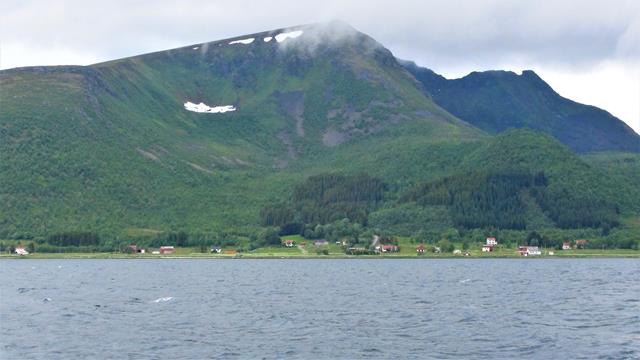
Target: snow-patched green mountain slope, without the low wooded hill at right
[[111, 146]]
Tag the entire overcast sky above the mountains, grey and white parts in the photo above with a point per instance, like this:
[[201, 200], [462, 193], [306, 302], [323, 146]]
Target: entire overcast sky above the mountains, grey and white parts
[[587, 50]]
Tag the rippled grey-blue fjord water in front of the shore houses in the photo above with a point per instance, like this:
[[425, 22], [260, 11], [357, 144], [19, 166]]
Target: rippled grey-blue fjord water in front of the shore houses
[[320, 309]]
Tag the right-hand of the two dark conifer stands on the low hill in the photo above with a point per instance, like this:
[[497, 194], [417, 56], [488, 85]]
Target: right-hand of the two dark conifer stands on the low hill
[[483, 199]]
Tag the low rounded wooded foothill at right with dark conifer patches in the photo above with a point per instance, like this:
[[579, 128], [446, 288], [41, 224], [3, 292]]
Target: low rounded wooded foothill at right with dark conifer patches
[[518, 180]]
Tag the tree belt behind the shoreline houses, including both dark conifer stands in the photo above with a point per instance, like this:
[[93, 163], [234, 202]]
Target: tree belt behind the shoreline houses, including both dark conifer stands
[[464, 208]]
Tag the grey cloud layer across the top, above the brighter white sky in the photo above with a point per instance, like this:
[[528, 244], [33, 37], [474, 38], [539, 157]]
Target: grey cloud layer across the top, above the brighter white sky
[[436, 31]]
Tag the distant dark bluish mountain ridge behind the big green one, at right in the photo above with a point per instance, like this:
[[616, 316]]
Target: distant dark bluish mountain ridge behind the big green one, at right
[[498, 100]]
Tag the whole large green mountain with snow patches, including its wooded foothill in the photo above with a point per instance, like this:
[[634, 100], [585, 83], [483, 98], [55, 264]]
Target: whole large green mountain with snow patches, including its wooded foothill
[[283, 127]]
